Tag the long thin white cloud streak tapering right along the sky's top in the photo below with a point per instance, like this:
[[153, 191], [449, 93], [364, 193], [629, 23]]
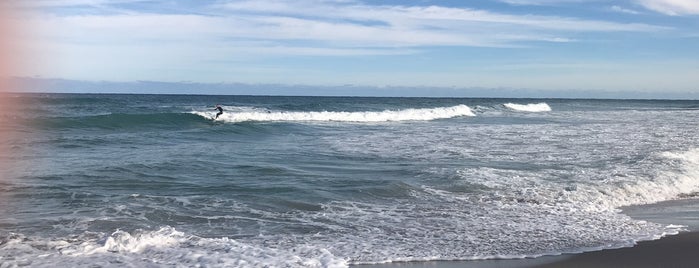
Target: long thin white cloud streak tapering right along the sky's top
[[427, 17]]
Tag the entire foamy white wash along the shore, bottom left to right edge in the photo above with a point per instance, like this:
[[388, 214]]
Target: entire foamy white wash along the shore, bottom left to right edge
[[582, 217]]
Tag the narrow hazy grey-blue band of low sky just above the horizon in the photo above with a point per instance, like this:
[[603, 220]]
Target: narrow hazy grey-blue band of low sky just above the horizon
[[71, 86]]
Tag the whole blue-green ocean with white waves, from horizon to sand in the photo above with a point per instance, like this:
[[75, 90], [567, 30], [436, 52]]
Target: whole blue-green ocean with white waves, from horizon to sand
[[153, 181]]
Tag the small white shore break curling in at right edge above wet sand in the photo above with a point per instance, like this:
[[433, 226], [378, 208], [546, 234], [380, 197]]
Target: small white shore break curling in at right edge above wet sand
[[672, 175]]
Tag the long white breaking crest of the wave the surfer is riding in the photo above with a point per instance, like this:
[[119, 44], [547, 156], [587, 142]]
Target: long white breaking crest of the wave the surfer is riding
[[424, 114]]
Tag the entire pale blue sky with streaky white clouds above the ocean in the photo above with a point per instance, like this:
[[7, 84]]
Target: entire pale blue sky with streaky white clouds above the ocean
[[556, 45]]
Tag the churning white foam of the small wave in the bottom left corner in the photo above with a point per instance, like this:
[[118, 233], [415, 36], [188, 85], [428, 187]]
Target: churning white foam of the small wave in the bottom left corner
[[165, 247]]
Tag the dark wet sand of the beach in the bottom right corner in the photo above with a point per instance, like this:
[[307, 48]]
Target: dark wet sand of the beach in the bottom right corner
[[679, 250]]
